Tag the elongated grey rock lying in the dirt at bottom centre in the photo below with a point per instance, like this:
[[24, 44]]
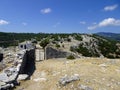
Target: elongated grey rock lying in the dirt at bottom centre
[[67, 79]]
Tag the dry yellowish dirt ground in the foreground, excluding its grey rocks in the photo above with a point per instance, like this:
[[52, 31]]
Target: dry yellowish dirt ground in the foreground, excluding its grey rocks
[[99, 74]]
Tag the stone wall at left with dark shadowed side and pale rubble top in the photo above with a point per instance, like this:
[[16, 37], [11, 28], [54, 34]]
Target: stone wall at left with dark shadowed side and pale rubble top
[[24, 65]]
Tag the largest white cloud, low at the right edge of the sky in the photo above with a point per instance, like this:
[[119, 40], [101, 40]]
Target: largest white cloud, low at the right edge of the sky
[[106, 22]]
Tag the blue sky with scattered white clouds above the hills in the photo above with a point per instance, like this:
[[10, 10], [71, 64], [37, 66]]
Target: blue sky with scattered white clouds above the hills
[[60, 16]]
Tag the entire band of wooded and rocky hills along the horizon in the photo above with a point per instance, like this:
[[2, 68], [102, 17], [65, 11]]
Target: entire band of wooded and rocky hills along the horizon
[[88, 45]]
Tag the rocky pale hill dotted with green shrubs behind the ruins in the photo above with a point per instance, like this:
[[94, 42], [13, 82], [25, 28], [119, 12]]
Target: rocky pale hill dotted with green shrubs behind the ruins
[[88, 45]]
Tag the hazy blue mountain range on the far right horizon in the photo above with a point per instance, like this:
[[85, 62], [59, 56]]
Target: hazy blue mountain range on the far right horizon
[[113, 36]]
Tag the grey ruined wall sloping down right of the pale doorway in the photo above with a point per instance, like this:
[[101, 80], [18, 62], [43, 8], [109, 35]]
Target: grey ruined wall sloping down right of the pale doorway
[[54, 53]]
